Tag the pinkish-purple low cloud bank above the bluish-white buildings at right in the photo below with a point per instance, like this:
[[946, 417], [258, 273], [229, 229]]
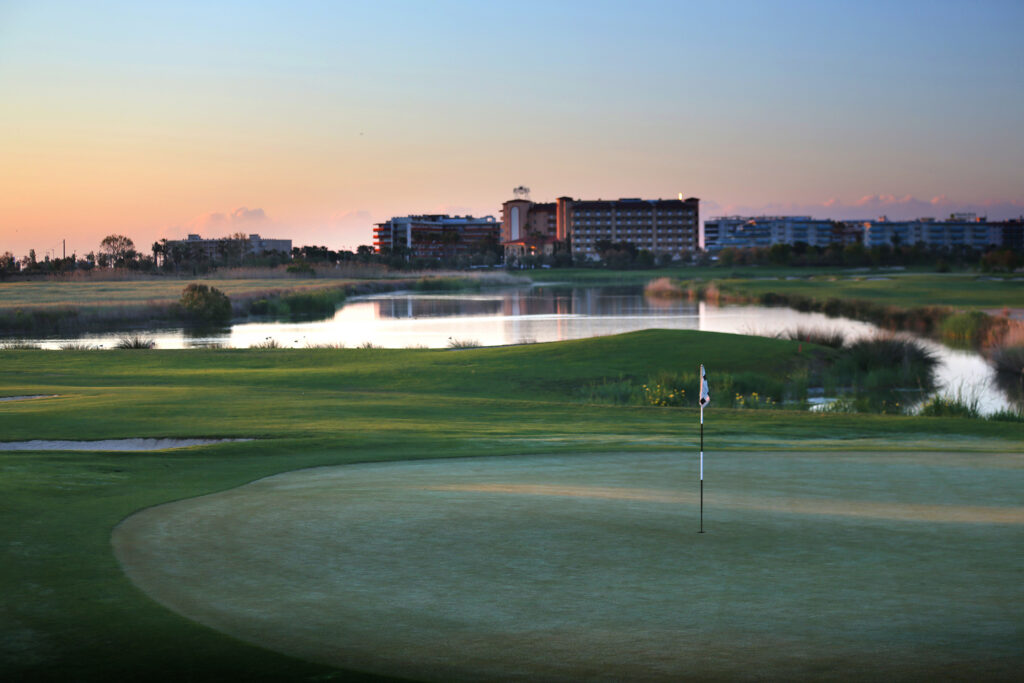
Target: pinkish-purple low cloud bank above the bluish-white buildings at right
[[874, 206]]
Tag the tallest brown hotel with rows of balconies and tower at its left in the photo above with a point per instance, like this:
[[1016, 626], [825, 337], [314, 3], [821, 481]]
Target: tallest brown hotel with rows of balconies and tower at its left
[[664, 228]]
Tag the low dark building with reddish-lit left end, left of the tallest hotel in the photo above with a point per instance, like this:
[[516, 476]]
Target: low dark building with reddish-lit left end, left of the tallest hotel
[[436, 236]]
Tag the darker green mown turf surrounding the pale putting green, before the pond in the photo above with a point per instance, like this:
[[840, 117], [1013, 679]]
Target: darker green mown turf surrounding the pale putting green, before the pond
[[69, 614]]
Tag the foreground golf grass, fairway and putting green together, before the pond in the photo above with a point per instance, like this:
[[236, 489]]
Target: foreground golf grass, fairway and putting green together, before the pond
[[470, 515]]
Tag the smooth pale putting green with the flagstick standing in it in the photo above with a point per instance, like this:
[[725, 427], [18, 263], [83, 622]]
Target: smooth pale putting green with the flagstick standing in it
[[839, 566]]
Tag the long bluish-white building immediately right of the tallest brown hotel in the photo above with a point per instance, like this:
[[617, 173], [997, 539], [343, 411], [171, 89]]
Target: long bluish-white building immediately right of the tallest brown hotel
[[747, 232]]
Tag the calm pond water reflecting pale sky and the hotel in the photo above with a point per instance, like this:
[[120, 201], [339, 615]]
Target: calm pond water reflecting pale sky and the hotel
[[543, 314]]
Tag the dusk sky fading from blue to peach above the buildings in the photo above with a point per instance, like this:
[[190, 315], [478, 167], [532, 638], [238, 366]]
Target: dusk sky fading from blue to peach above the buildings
[[312, 121]]
